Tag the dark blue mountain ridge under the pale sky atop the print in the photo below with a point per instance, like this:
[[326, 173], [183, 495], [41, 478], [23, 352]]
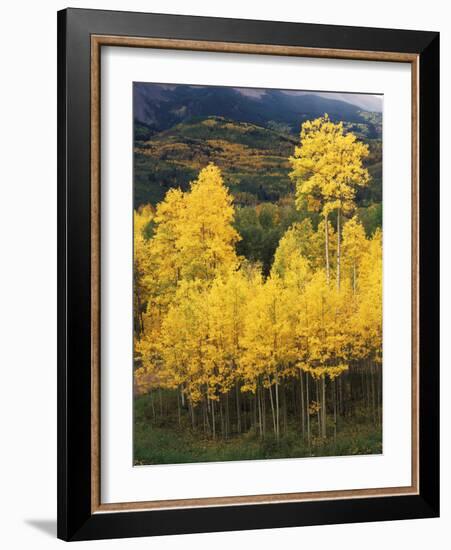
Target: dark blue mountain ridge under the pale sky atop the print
[[159, 107]]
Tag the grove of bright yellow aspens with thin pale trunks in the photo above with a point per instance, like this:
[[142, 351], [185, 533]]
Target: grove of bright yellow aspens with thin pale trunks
[[224, 349]]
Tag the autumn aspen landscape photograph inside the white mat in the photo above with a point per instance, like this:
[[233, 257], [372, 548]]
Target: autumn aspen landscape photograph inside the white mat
[[257, 273]]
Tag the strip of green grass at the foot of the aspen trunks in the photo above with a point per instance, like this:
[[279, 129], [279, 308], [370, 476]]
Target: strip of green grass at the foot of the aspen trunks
[[161, 441]]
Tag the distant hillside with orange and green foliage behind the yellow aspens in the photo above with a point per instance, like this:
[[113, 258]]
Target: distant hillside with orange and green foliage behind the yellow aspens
[[253, 159]]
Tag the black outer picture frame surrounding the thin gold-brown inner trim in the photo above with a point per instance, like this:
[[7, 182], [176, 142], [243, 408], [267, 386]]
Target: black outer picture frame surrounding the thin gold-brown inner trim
[[75, 518]]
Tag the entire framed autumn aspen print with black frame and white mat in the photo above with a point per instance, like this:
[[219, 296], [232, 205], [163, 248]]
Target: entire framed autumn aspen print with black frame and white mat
[[248, 274]]
